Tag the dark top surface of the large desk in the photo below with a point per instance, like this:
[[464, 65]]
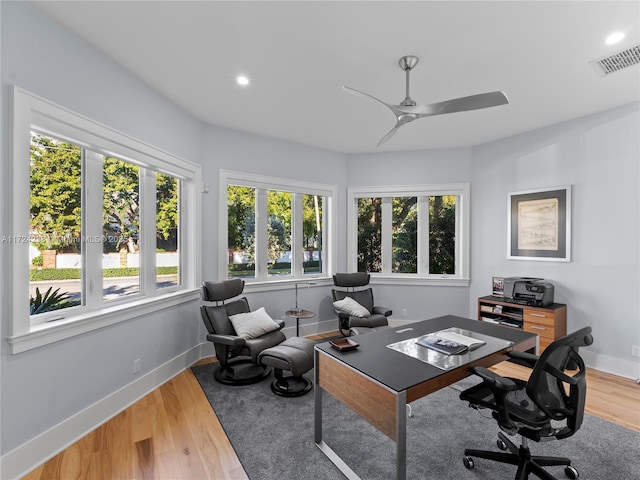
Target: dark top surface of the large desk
[[399, 371]]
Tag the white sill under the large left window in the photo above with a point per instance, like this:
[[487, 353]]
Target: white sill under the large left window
[[47, 333]]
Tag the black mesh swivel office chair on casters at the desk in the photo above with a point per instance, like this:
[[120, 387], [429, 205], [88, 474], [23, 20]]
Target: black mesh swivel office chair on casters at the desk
[[555, 392]]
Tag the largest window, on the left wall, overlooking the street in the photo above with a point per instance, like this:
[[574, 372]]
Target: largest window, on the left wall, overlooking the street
[[97, 228]]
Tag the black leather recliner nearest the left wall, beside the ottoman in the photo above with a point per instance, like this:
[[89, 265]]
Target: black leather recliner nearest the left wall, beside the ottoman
[[238, 356]]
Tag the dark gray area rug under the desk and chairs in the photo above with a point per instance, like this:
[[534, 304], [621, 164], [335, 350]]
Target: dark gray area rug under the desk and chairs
[[273, 438]]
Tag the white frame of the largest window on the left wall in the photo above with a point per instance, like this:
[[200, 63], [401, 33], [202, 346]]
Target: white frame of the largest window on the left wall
[[31, 112]]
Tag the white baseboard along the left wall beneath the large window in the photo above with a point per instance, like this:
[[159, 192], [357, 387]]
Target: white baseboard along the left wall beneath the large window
[[31, 454]]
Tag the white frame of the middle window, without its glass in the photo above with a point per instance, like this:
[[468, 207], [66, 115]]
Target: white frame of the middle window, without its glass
[[298, 188]]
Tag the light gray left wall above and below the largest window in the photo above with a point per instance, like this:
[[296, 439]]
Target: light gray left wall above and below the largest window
[[43, 388]]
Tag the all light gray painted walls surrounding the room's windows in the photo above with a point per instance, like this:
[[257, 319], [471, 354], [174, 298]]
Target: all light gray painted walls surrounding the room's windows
[[599, 155]]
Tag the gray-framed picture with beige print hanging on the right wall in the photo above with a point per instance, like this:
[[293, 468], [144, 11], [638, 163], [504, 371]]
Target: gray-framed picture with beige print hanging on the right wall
[[539, 225]]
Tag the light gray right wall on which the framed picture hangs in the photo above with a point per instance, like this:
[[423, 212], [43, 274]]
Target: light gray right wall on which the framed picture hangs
[[599, 155]]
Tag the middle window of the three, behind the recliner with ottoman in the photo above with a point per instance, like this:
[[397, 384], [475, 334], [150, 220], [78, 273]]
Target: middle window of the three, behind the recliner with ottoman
[[291, 241]]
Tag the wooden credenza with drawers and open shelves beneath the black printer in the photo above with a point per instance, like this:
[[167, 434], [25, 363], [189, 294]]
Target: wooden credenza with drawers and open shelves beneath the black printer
[[548, 322]]
